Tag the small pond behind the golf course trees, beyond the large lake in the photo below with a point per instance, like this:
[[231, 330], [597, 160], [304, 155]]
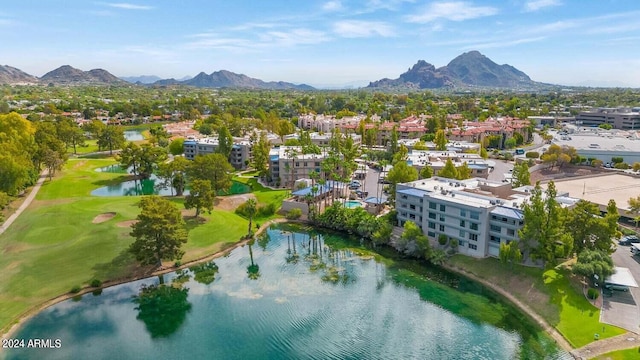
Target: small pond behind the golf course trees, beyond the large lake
[[150, 186]]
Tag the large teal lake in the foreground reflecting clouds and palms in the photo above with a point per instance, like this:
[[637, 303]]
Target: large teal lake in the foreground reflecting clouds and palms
[[292, 295]]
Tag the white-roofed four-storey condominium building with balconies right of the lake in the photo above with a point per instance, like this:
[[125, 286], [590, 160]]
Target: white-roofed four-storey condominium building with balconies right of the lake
[[478, 213]]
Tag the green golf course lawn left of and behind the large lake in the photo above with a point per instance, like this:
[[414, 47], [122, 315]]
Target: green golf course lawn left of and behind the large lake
[[54, 245]]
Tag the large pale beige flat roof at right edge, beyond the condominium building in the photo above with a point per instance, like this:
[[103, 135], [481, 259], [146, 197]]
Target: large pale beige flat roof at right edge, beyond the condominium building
[[600, 189]]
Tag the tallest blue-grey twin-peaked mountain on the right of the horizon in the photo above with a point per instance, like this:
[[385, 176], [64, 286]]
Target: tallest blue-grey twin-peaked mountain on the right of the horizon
[[471, 69]]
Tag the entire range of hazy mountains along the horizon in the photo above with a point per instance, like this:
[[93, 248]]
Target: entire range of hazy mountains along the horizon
[[469, 70]]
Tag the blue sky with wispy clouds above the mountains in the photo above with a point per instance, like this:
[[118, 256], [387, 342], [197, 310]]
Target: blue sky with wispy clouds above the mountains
[[325, 43]]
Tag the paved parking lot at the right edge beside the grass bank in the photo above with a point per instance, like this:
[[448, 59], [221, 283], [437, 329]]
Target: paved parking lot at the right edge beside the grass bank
[[621, 308]]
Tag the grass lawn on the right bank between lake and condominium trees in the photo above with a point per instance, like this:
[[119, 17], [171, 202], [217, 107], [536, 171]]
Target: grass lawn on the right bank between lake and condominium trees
[[551, 293]]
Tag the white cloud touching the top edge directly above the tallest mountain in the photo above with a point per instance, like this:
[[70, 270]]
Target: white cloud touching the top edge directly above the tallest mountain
[[453, 11]]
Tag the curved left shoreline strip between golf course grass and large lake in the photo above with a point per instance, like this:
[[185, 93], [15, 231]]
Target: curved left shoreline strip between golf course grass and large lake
[[25, 316]]
